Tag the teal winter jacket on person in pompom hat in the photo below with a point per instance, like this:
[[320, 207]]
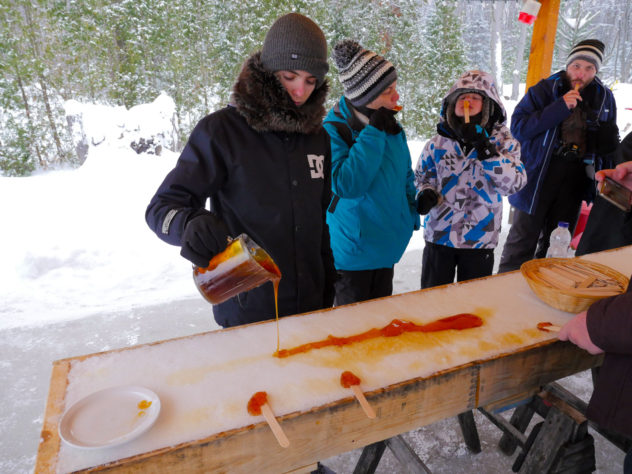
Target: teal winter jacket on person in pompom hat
[[374, 214]]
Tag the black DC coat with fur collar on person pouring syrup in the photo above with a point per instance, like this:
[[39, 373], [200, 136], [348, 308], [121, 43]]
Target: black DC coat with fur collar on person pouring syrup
[[265, 165]]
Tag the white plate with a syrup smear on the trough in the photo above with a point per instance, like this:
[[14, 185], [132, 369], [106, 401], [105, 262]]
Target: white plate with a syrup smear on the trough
[[109, 417]]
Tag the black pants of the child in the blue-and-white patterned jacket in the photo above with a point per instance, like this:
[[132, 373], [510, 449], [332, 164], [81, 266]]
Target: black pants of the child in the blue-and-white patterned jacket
[[440, 264]]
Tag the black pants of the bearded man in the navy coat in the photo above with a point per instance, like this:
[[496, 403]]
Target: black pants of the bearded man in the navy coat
[[560, 199]]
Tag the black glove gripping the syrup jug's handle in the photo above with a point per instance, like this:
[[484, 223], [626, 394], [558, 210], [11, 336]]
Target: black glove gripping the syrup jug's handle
[[204, 236]]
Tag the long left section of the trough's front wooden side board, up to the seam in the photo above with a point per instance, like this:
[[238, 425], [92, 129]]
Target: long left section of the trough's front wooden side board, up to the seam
[[318, 434]]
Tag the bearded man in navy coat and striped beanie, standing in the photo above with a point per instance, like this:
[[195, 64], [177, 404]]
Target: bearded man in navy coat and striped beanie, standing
[[566, 126]]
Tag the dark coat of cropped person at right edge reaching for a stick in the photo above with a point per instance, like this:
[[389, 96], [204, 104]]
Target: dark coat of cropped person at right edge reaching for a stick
[[609, 323]]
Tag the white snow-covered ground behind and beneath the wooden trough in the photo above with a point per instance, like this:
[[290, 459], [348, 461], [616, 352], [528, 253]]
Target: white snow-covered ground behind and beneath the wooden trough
[[81, 273]]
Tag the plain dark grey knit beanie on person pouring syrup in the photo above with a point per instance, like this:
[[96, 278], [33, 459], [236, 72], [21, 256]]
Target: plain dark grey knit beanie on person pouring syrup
[[295, 43]]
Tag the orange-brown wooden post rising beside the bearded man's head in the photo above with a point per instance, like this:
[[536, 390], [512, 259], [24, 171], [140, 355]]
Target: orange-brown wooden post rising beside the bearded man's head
[[543, 42]]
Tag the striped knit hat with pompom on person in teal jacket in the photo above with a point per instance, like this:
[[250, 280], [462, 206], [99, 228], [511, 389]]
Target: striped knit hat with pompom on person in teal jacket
[[364, 74]]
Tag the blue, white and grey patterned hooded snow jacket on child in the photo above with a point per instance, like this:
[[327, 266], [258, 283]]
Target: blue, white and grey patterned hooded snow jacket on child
[[469, 213]]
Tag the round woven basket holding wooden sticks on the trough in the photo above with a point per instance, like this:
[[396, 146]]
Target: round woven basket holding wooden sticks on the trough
[[555, 291]]
